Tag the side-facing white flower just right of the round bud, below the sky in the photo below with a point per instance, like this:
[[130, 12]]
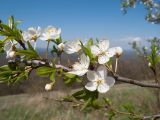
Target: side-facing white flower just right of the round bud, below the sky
[[72, 47]]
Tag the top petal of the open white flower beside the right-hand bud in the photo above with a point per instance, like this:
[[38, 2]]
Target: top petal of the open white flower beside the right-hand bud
[[103, 45]]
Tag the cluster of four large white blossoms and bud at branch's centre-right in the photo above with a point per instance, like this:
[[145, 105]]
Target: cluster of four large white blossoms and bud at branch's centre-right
[[102, 53]]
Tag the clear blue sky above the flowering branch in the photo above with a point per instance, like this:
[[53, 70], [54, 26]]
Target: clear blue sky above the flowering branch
[[83, 19]]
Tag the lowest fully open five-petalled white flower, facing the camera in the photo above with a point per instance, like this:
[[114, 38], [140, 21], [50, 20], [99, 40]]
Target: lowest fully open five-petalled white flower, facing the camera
[[99, 80]]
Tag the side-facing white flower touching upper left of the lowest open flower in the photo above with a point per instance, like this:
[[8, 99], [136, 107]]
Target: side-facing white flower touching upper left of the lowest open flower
[[81, 67]]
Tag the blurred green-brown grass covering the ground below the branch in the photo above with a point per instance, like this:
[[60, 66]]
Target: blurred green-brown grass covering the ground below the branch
[[35, 107]]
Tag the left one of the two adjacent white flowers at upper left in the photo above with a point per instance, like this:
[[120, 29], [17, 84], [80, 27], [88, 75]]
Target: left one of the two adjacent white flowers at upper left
[[32, 34]]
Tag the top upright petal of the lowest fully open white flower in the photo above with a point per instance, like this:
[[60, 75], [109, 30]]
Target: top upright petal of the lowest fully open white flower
[[102, 72]]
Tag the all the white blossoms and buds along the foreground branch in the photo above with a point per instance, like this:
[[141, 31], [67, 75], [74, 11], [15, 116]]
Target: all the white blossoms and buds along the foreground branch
[[93, 54]]
